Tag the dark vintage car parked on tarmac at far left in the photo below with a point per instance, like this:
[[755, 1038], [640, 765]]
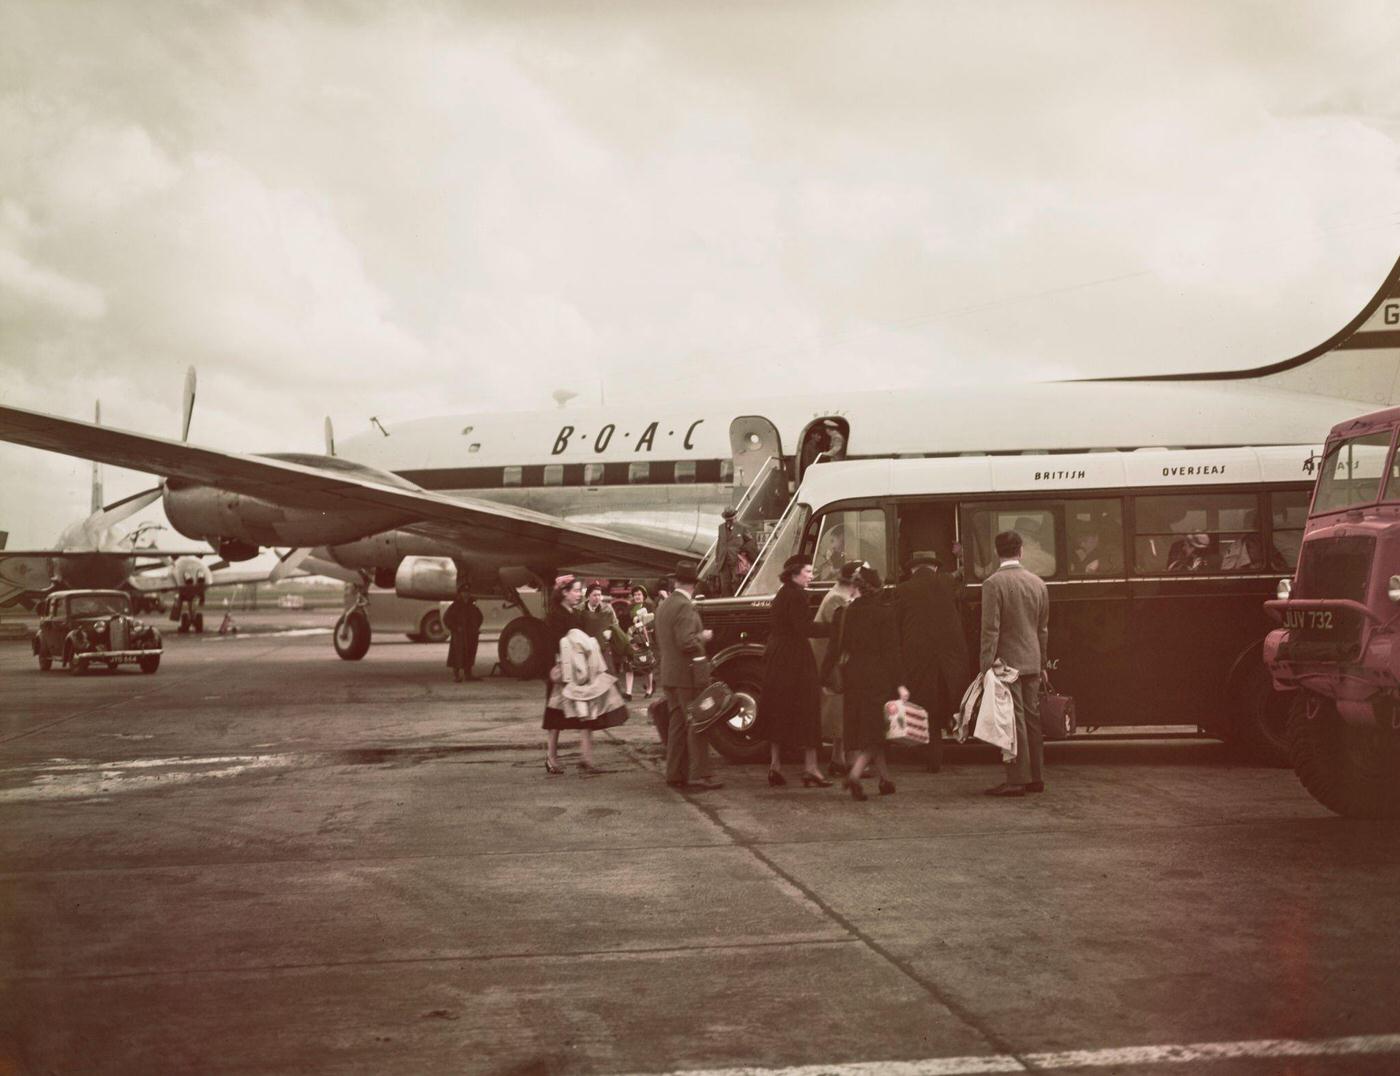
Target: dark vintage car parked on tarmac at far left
[[80, 629]]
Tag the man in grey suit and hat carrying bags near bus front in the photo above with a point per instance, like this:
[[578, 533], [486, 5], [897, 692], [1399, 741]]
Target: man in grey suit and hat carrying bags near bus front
[[681, 639]]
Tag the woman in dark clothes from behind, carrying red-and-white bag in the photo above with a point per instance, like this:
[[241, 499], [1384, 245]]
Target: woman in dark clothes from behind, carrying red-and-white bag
[[869, 633]]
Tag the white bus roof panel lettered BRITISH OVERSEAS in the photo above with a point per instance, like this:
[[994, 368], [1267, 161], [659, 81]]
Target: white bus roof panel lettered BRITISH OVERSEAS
[[864, 479]]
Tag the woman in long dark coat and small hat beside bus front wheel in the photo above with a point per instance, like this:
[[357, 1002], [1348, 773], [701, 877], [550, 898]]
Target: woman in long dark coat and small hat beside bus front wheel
[[790, 709]]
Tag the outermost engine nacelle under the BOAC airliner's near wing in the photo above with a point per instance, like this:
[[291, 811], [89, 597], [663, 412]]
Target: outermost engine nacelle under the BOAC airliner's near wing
[[220, 516]]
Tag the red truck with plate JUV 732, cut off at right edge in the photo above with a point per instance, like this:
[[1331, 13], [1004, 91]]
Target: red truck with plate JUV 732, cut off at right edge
[[1340, 615]]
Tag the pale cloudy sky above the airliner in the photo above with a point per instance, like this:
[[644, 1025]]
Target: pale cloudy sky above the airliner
[[359, 209]]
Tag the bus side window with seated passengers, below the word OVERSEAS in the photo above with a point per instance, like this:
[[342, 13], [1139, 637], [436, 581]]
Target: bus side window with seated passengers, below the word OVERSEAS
[[1198, 534]]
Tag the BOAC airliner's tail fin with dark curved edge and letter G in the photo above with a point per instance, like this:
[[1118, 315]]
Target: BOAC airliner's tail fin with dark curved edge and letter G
[[1359, 363]]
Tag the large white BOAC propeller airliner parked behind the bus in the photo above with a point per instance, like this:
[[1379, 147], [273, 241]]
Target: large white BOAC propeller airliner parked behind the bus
[[507, 500]]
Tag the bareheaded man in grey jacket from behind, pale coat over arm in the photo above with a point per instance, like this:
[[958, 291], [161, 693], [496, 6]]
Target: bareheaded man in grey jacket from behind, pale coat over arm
[[1016, 628]]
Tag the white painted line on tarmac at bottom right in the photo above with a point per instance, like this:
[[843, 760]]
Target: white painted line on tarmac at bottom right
[[1170, 1054]]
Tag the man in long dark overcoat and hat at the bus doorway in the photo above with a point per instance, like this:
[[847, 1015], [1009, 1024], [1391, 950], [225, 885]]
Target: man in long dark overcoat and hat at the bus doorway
[[933, 647]]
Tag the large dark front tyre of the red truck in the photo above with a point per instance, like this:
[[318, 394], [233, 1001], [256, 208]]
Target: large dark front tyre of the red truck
[[1352, 770]]
